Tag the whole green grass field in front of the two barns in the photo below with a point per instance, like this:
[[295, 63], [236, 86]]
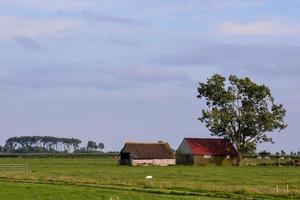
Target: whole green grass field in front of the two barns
[[102, 178]]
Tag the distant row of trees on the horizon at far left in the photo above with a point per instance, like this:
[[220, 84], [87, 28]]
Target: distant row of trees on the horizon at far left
[[47, 144]]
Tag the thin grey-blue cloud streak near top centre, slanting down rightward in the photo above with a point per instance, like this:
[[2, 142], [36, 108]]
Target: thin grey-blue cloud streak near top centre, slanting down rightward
[[98, 18]]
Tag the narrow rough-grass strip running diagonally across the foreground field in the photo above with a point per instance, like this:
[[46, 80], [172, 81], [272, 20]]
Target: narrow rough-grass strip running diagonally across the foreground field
[[210, 194]]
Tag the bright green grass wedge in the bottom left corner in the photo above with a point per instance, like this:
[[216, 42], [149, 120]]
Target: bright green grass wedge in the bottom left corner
[[35, 191]]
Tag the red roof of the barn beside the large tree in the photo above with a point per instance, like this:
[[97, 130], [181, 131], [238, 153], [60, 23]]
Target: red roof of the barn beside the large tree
[[210, 146]]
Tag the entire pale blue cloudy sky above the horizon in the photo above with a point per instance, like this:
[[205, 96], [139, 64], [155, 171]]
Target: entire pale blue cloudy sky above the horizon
[[127, 70]]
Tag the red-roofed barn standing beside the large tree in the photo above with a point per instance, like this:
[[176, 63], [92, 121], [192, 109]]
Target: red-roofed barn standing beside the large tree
[[205, 151]]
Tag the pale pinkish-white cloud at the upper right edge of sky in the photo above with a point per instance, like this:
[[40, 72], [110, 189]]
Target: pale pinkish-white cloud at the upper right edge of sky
[[268, 27]]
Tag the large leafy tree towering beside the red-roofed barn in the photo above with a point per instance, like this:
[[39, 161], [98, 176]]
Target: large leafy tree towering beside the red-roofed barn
[[240, 111]]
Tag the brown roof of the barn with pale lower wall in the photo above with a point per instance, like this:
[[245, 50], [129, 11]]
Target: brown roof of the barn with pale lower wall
[[148, 150]]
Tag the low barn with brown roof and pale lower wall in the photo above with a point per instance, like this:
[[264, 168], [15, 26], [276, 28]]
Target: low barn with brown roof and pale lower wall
[[147, 154]]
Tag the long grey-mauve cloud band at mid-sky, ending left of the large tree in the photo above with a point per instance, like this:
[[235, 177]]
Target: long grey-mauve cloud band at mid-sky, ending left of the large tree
[[87, 77]]
